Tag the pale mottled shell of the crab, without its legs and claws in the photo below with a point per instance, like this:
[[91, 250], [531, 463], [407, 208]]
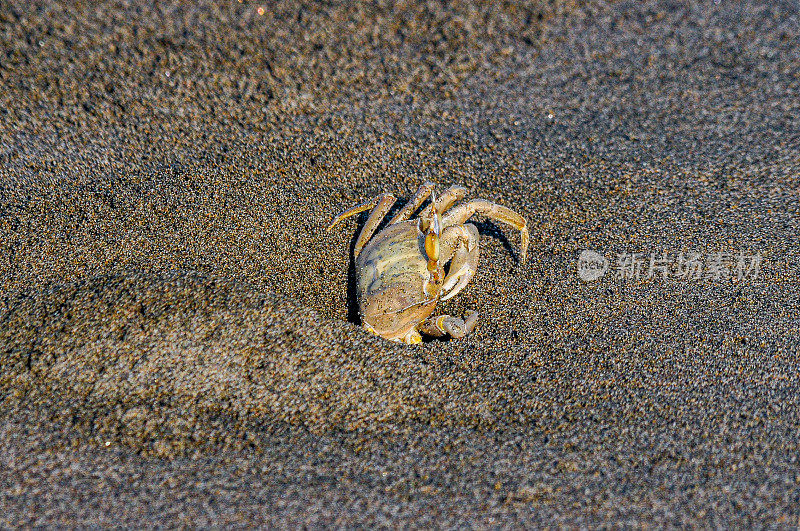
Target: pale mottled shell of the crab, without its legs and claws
[[396, 291]]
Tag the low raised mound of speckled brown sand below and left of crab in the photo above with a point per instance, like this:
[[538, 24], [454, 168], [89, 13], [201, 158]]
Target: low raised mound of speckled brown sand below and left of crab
[[174, 362]]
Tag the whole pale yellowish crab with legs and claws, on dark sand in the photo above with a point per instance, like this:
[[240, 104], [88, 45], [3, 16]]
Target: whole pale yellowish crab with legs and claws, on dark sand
[[400, 271]]
